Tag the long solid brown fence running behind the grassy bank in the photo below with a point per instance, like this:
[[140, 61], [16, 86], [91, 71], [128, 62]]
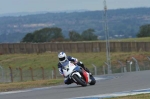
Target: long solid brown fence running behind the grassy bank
[[10, 48]]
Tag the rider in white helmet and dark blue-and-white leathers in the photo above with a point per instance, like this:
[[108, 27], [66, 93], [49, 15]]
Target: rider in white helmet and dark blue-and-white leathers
[[62, 58]]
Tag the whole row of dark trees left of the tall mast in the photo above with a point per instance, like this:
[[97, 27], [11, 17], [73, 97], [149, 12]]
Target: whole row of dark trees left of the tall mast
[[54, 34]]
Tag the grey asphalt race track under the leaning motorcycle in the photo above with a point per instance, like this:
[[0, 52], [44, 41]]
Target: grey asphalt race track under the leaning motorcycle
[[107, 84]]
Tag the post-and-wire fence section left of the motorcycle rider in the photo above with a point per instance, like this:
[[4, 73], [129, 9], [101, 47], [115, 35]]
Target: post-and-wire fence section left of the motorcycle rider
[[11, 74]]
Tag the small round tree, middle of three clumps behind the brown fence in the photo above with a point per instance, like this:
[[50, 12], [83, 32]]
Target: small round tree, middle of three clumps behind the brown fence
[[74, 36]]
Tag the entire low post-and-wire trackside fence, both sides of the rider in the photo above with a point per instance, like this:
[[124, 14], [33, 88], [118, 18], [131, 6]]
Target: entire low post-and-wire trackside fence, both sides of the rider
[[11, 74]]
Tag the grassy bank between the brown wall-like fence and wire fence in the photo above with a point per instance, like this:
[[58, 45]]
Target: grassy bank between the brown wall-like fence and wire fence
[[49, 60]]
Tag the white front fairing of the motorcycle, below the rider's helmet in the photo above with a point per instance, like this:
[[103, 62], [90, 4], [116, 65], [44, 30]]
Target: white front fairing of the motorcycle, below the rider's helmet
[[68, 68]]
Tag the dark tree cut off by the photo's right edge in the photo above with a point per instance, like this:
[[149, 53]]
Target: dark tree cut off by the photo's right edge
[[144, 31]]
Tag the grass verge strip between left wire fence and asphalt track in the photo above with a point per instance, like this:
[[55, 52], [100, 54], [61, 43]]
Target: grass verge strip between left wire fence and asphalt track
[[4, 87]]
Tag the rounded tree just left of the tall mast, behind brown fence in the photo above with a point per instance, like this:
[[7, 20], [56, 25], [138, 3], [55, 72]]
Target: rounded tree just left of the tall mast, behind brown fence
[[89, 35]]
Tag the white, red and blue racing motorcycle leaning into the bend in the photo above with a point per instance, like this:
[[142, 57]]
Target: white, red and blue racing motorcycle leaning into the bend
[[77, 74]]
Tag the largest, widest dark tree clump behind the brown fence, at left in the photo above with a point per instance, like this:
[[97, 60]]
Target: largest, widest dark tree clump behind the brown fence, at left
[[44, 35]]
